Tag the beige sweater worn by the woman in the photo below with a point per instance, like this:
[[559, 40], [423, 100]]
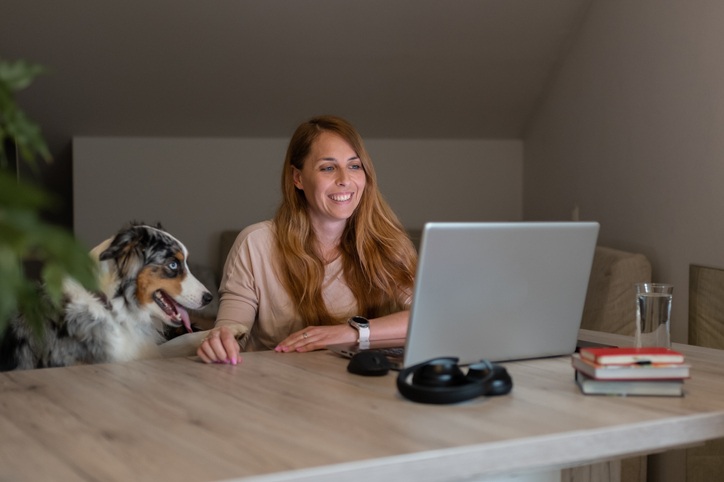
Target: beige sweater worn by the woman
[[253, 300]]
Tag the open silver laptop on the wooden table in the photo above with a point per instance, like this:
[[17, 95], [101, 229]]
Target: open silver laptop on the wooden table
[[496, 291]]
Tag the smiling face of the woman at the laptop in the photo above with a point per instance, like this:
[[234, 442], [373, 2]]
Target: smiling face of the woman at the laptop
[[332, 179]]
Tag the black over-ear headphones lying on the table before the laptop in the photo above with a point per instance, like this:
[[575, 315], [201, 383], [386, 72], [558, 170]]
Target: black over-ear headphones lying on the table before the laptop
[[441, 381]]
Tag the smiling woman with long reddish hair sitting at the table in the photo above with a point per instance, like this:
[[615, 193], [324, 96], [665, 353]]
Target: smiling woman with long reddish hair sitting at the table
[[334, 250]]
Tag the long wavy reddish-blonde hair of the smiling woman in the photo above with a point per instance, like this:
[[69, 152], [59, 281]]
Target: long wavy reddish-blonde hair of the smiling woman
[[378, 257]]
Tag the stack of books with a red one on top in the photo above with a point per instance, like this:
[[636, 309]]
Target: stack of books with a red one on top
[[630, 371]]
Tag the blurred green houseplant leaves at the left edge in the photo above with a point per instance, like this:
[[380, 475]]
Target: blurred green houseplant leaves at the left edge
[[25, 239]]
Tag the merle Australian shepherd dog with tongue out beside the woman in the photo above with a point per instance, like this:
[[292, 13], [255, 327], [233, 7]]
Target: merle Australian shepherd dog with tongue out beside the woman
[[145, 287]]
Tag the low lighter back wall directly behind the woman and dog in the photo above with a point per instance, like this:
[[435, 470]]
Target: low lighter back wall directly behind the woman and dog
[[198, 187]]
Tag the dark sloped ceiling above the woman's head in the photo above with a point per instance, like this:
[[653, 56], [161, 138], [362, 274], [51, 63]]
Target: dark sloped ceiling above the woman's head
[[395, 68]]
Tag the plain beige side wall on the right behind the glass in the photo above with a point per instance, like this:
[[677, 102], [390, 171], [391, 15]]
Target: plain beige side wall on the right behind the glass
[[632, 132]]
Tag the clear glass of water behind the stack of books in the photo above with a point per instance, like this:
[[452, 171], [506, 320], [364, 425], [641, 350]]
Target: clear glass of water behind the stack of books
[[653, 314]]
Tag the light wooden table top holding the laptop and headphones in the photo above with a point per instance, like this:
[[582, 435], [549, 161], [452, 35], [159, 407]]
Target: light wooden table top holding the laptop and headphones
[[303, 417]]
